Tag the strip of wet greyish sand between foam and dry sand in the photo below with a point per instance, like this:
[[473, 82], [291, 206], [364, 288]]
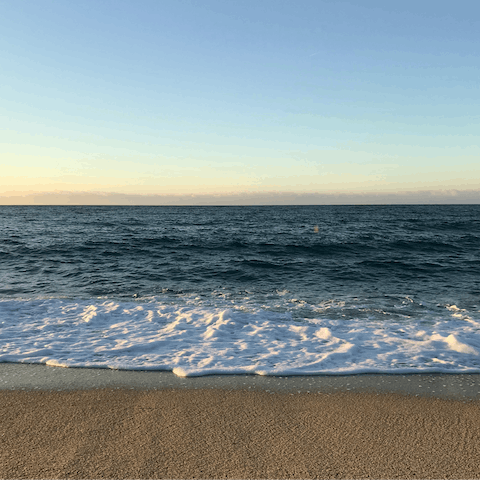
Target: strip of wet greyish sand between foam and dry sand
[[37, 377]]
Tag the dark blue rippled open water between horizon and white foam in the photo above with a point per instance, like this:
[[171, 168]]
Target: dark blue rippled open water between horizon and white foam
[[368, 251]]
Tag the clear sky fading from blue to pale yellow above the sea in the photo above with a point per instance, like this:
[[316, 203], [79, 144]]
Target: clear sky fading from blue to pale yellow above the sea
[[239, 102]]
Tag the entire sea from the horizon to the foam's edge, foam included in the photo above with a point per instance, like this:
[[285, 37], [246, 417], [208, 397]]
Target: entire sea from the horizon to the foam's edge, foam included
[[265, 290]]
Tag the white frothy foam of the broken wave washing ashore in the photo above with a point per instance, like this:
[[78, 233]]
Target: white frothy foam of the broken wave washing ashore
[[195, 336]]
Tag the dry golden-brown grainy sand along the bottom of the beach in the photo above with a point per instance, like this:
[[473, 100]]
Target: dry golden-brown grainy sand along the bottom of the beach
[[220, 434]]
